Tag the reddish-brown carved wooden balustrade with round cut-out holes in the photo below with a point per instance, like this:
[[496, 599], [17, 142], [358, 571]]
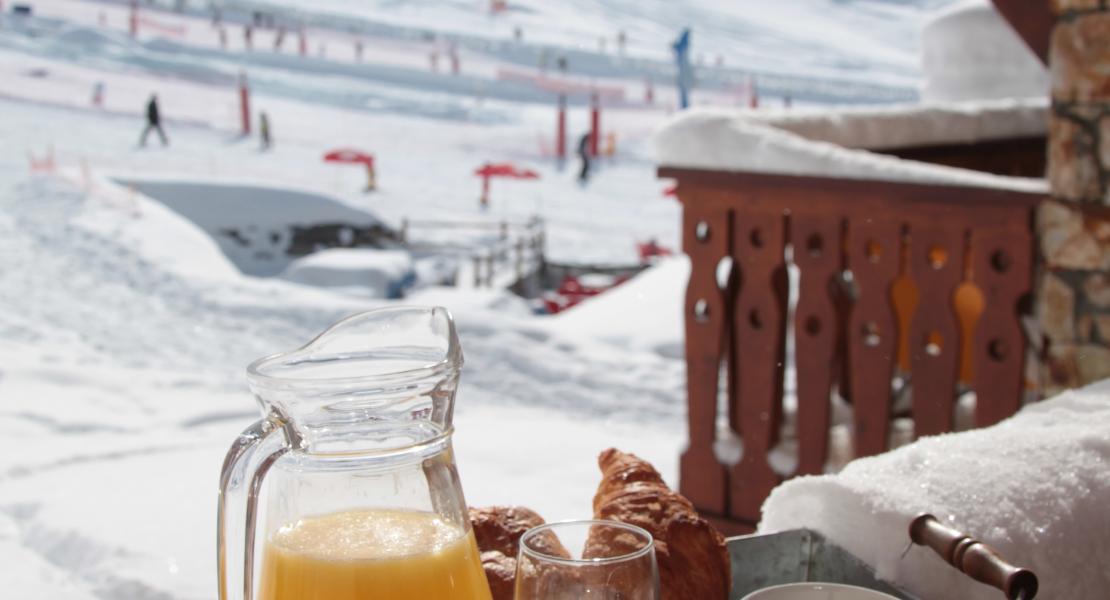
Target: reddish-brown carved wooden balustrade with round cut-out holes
[[894, 279]]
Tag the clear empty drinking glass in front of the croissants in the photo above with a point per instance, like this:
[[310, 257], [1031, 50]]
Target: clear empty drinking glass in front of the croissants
[[617, 562]]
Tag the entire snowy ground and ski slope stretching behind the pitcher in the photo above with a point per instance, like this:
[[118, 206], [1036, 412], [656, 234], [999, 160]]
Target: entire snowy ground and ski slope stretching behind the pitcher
[[127, 320]]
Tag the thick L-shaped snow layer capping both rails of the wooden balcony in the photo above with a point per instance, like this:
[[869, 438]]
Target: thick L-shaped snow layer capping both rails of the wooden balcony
[[729, 140]]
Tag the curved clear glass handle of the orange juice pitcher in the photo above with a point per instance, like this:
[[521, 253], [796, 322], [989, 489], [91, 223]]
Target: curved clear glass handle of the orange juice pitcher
[[248, 461]]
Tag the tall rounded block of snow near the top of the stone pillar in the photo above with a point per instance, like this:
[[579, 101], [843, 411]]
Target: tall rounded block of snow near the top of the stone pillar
[[970, 52]]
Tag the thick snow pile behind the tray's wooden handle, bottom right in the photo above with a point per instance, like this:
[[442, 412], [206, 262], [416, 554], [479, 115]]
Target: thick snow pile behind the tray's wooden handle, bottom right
[[1034, 487]]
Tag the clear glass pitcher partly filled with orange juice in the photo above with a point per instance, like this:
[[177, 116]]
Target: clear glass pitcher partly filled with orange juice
[[352, 470]]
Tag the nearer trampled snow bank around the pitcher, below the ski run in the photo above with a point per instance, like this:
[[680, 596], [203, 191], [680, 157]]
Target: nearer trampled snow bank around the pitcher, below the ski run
[[118, 408]]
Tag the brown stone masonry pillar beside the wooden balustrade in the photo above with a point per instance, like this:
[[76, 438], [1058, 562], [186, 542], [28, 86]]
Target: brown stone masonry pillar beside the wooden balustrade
[[1074, 229]]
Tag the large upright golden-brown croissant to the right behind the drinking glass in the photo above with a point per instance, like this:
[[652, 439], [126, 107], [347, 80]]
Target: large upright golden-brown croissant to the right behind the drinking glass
[[691, 554]]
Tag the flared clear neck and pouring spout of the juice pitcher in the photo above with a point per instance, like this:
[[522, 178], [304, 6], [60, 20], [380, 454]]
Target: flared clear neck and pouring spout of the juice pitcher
[[380, 378]]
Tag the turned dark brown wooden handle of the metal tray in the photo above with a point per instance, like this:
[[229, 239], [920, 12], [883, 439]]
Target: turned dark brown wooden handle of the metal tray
[[973, 557]]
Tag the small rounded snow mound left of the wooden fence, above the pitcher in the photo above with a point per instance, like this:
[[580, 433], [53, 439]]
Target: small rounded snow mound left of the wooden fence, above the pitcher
[[375, 273]]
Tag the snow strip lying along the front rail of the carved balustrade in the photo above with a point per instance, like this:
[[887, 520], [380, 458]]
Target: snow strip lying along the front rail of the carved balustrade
[[730, 140]]
